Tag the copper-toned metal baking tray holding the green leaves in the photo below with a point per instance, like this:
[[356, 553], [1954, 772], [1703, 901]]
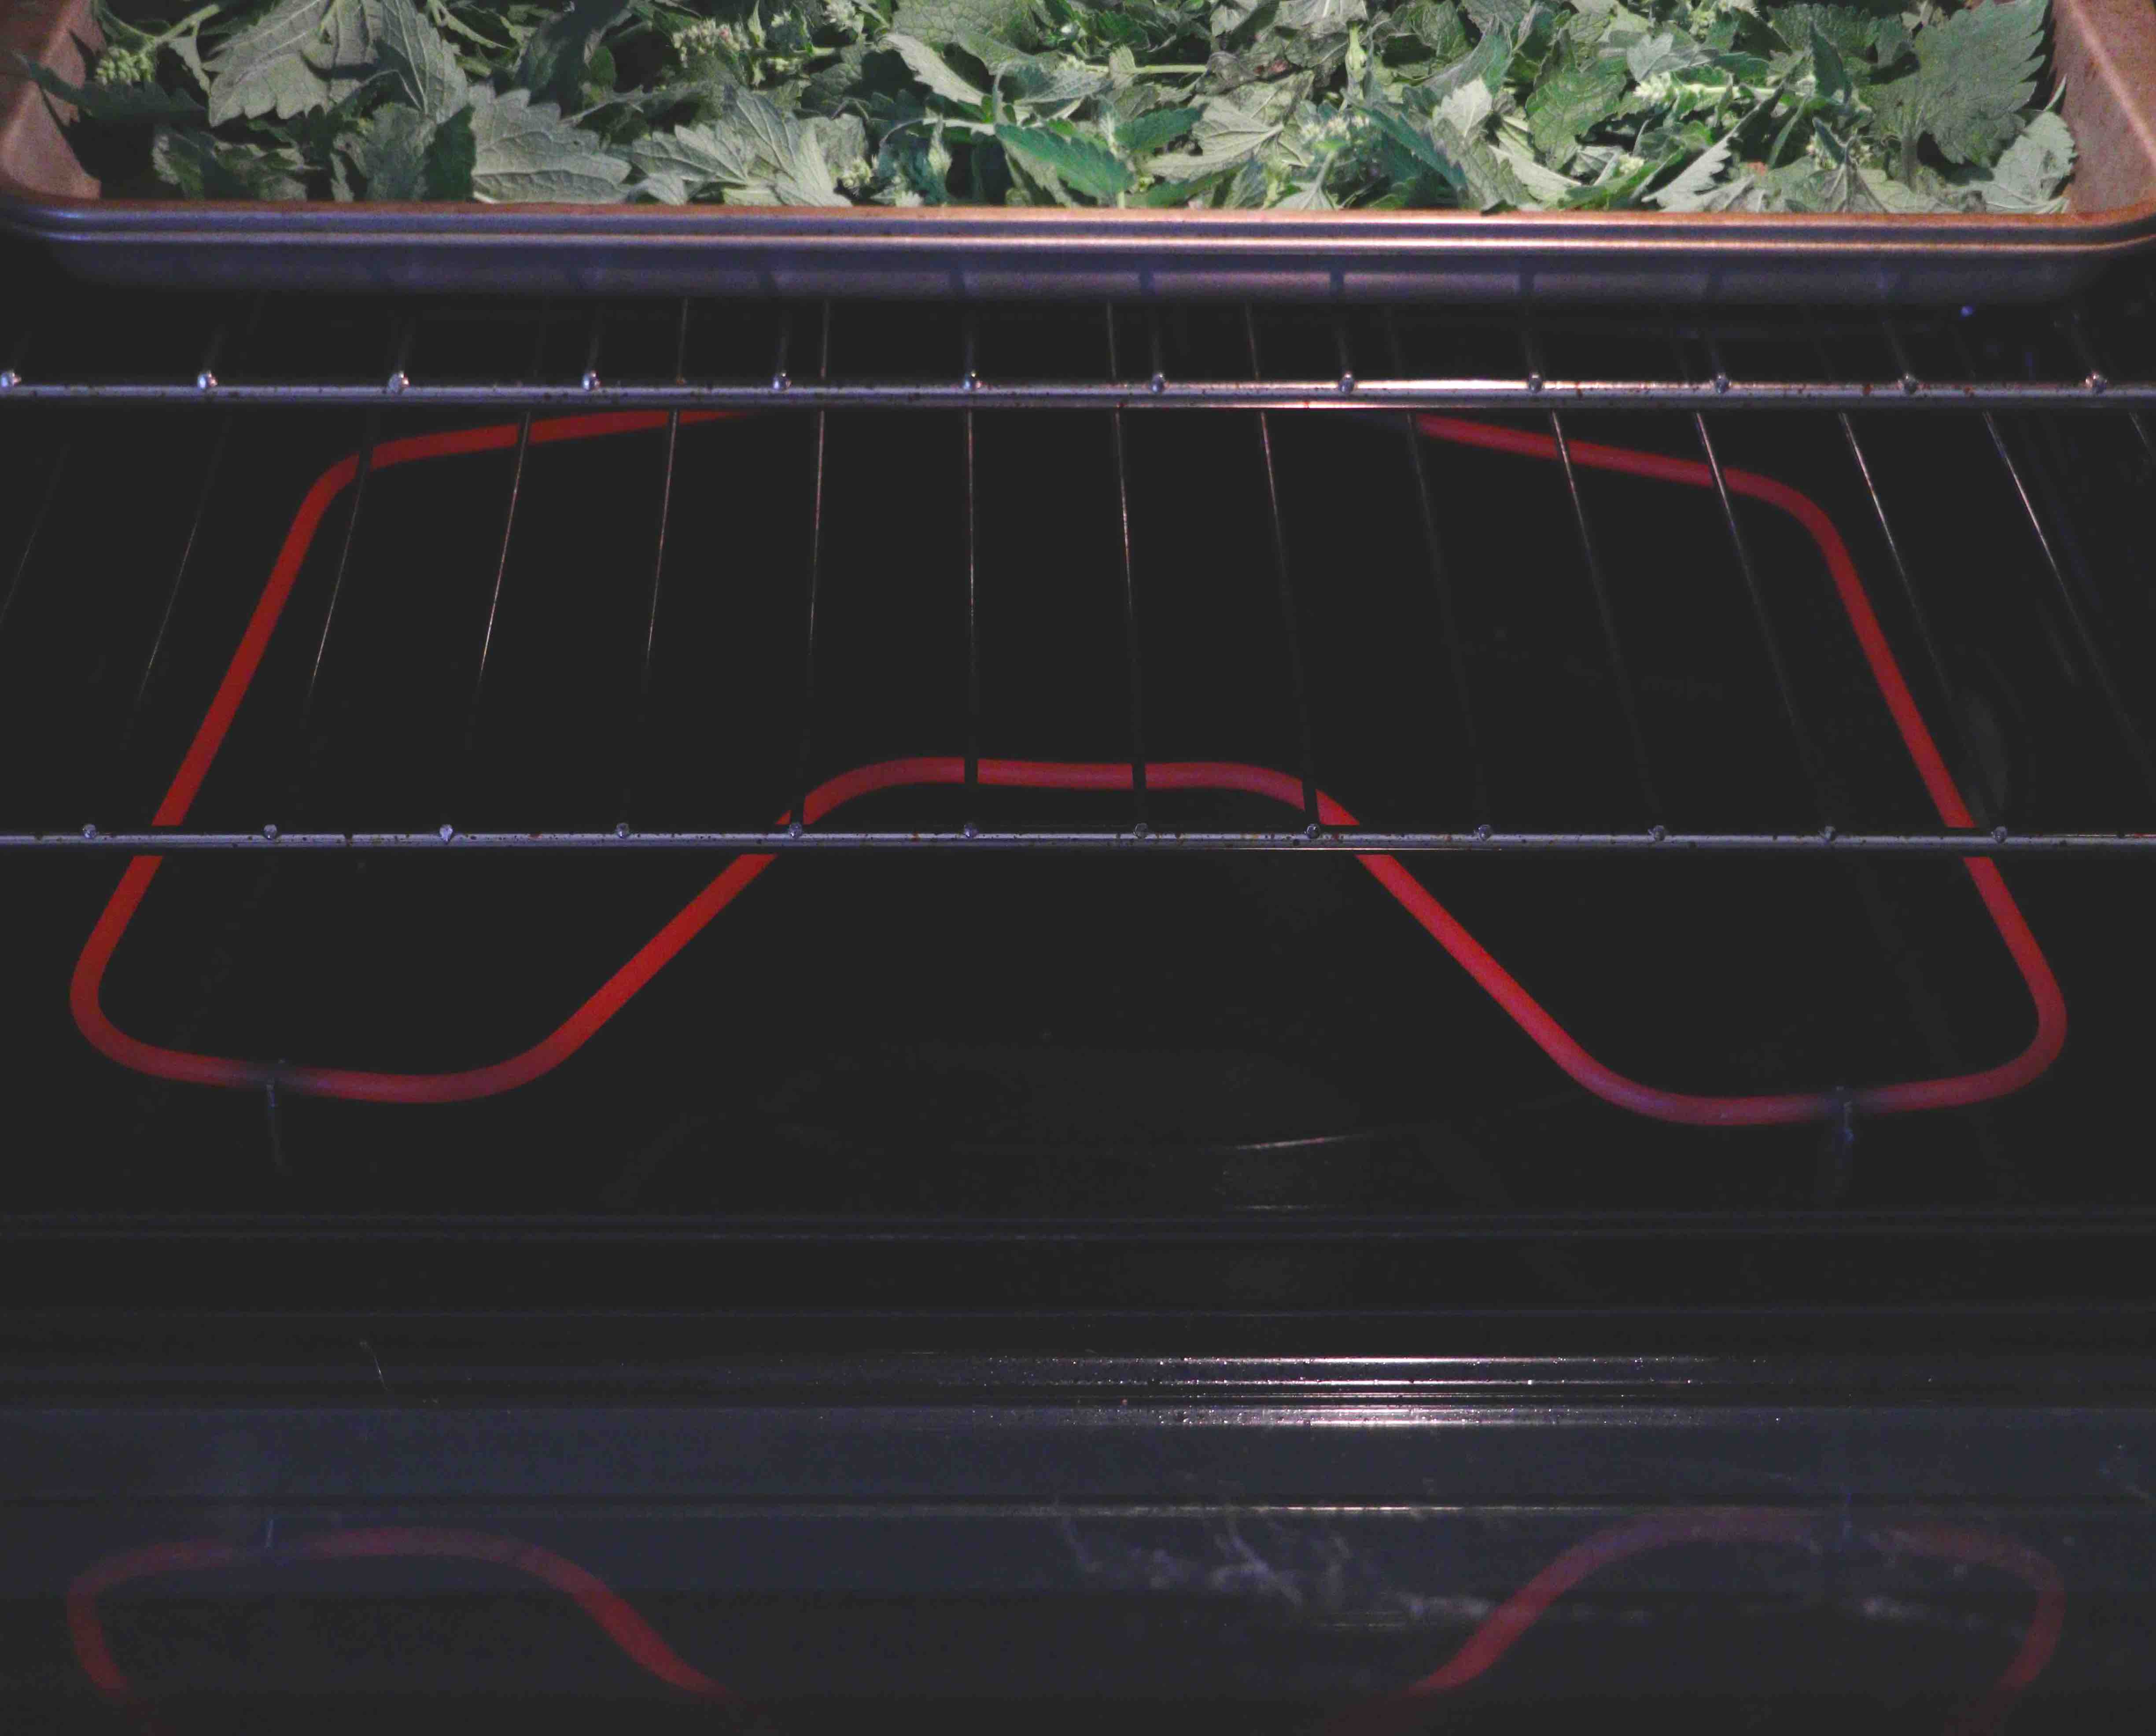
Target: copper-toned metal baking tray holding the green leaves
[[2105, 53]]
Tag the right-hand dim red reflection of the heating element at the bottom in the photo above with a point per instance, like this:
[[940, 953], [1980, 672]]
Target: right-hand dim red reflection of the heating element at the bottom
[[1737, 1526]]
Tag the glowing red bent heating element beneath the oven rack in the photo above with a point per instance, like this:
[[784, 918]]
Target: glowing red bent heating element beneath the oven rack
[[1538, 1023]]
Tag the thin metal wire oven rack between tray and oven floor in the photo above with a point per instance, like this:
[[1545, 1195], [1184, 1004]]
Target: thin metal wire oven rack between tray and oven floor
[[2064, 363]]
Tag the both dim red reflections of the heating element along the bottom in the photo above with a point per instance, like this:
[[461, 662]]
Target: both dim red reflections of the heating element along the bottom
[[1387, 1718]]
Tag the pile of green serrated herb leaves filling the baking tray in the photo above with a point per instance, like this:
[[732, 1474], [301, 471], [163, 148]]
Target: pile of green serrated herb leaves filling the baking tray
[[1221, 105]]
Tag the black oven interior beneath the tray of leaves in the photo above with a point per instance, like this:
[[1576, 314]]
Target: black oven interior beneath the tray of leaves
[[999, 1084]]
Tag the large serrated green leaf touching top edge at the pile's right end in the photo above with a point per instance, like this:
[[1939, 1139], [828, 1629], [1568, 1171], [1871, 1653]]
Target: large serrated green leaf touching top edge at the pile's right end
[[1976, 74]]
